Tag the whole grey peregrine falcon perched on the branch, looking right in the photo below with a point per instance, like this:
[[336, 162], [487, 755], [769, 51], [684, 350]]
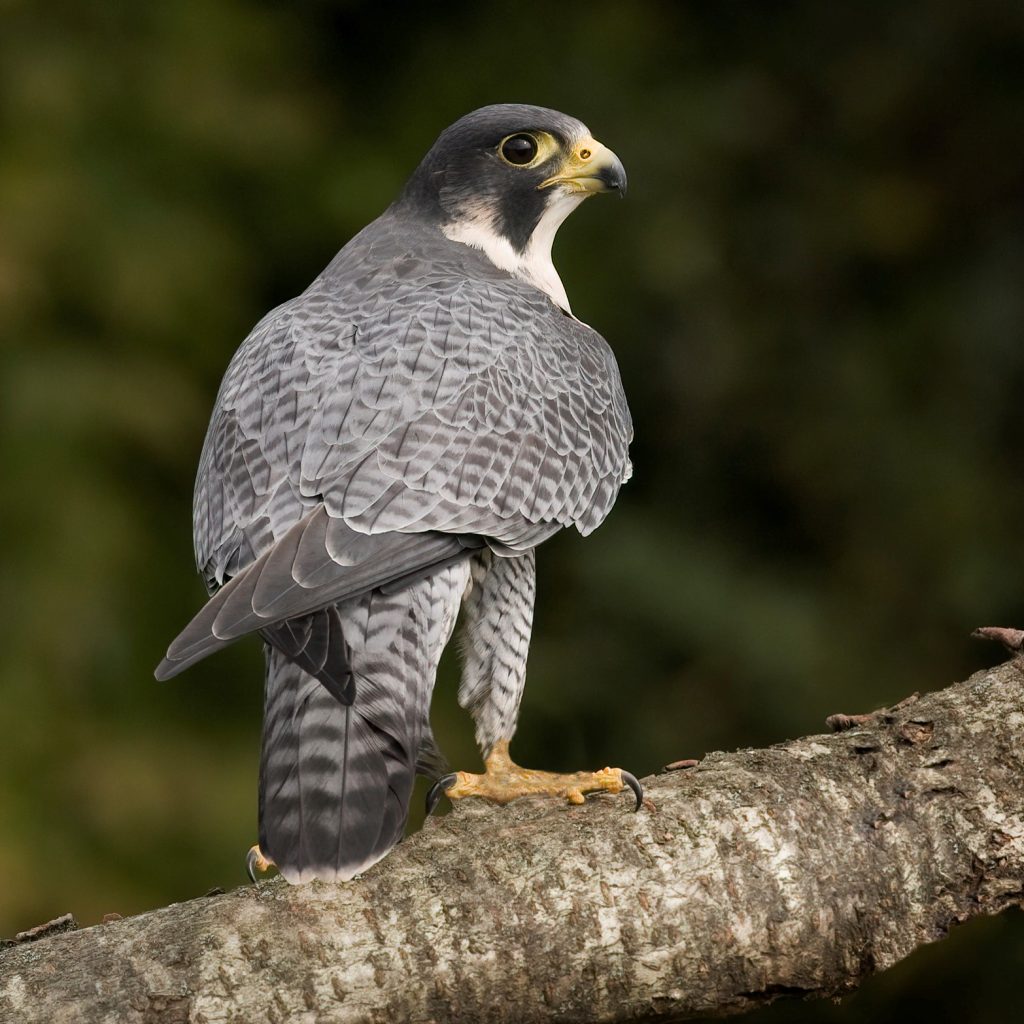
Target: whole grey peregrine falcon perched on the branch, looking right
[[388, 450]]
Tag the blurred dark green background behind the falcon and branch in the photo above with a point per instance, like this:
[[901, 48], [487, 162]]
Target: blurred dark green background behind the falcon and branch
[[816, 291]]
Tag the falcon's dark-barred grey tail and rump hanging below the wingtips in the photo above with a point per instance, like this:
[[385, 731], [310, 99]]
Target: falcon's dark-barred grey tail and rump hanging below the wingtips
[[337, 770]]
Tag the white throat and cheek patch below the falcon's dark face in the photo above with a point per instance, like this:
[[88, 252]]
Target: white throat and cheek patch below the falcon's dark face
[[534, 264]]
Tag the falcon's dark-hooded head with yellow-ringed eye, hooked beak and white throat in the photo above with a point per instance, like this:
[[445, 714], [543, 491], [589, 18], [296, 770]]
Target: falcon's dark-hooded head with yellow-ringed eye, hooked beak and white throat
[[503, 180]]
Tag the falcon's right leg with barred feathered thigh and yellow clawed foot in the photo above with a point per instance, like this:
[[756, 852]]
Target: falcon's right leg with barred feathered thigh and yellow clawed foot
[[499, 612]]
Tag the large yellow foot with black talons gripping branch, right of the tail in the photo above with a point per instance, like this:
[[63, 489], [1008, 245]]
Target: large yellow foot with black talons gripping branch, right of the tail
[[504, 781]]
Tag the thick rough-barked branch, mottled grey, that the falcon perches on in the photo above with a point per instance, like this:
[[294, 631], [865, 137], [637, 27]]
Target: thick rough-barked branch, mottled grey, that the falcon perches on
[[798, 870]]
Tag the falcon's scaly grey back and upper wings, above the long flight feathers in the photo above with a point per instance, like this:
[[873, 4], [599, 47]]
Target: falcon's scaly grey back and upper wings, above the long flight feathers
[[424, 387]]
